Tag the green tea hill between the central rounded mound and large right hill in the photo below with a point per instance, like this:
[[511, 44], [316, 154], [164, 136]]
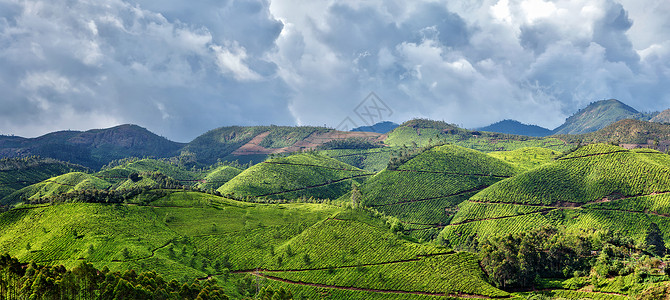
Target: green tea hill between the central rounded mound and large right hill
[[422, 191]]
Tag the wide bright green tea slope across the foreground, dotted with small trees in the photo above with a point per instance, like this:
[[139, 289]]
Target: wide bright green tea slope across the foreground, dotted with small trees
[[188, 235]]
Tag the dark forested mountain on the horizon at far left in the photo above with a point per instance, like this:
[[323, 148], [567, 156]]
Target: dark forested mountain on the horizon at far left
[[92, 148]]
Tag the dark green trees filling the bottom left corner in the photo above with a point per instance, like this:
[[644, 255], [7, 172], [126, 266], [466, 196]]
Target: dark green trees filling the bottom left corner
[[86, 282]]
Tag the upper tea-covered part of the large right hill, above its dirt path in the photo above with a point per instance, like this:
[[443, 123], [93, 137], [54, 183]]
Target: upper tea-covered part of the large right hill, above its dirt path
[[589, 174]]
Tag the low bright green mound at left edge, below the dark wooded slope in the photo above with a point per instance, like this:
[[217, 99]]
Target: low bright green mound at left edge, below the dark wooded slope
[[57, 185]]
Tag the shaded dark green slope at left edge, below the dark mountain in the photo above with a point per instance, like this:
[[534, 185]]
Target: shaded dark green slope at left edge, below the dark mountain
[[17, 173]]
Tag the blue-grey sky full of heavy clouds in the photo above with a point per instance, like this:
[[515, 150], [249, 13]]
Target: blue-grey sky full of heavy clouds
[[181, 68]]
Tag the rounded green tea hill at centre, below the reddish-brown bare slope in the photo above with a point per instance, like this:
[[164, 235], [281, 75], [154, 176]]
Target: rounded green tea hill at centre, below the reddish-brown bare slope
[[295, 176]]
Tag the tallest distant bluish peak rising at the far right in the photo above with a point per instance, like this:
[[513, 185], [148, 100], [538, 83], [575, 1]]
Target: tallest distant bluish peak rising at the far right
[[598, 115]]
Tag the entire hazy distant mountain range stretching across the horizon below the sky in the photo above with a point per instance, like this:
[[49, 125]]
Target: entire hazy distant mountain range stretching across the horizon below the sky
[[96, 148]]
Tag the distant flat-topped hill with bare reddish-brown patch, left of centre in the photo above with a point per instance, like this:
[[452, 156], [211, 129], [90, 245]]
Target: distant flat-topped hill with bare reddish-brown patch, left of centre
[[255, 143]]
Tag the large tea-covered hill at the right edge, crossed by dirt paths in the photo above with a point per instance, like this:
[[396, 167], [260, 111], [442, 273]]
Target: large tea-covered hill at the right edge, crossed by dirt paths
[[597, 186]]
